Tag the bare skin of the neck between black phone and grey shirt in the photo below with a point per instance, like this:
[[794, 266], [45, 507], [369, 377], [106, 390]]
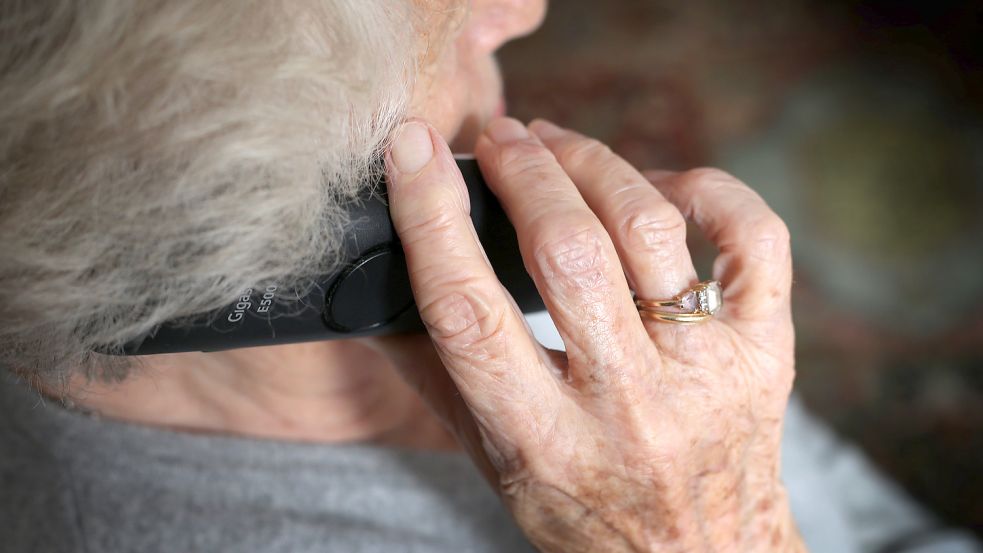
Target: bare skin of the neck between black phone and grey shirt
[[329, 392]]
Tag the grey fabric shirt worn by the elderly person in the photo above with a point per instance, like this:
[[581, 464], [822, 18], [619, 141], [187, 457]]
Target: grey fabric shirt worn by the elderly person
[[73, 482]]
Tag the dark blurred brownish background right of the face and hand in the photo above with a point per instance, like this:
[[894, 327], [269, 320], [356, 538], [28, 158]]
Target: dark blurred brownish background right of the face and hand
[[861, 123]]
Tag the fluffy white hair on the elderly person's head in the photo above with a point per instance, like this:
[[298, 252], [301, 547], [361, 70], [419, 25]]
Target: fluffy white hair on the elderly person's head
[[156, 158]]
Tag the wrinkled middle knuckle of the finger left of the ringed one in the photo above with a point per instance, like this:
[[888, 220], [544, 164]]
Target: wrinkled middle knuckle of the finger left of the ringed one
[[574, 259]]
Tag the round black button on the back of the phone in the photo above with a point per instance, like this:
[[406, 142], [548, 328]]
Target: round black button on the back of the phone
[[371, 292]]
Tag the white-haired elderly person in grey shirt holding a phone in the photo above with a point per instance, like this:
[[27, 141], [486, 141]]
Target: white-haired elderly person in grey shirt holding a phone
[[159, 157]]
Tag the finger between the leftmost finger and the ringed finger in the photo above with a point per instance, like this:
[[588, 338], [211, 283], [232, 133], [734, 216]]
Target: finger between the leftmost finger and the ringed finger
[[567, 252]]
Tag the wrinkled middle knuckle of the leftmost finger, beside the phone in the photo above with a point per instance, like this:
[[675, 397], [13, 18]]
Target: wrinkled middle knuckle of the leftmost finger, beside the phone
[[462, 323]]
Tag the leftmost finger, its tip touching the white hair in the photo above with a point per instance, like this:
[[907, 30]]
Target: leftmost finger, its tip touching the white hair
[[481, 338]]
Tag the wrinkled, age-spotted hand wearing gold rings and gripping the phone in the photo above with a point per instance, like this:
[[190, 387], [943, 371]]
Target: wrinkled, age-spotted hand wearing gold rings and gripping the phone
[[644, 435]]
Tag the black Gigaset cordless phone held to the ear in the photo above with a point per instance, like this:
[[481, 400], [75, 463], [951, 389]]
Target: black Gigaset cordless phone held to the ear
[[369, 295]]
